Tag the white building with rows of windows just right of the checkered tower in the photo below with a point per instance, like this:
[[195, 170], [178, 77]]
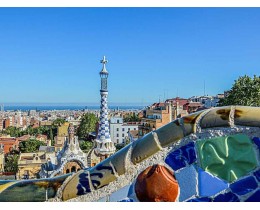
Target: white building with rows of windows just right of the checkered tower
[[119, 130]]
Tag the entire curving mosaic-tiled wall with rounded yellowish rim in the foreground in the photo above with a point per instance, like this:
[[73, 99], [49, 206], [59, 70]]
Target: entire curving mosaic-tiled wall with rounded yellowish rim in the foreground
[[212, 155]]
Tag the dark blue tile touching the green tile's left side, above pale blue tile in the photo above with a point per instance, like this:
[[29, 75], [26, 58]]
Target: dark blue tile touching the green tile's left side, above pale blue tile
[[181, 157]]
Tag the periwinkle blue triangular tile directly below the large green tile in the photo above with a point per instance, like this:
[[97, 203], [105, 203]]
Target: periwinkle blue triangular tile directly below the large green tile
[[210, 185]]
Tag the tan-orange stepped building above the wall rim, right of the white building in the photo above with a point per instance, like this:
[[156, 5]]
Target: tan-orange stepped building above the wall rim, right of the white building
[[155, 116]]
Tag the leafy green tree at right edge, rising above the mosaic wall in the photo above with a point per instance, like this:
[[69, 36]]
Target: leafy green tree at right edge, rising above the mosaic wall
[[245, 91]]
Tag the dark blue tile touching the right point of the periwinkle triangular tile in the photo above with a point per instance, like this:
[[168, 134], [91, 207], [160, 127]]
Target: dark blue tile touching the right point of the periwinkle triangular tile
[[244, 186]]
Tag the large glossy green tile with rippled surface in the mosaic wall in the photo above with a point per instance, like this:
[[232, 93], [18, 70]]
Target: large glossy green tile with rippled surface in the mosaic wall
[[227, 157]]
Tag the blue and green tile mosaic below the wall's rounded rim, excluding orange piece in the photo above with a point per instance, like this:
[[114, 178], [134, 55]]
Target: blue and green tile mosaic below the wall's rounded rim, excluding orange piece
[[200, 183]]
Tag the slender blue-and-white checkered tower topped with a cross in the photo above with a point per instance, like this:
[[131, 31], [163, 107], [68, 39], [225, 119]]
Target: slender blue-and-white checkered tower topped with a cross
[[104, 146]]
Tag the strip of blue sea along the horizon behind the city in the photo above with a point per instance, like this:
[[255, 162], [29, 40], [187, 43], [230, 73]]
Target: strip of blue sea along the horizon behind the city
[[69, 107]]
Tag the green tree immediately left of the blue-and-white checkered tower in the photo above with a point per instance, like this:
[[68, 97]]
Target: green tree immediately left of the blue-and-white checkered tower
[[87, 125]]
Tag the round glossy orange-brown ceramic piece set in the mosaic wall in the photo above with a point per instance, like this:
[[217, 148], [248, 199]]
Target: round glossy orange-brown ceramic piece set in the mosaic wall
[[156, 183]]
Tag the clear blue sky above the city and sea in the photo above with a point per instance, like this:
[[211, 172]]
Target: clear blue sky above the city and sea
[[52, 54]]
